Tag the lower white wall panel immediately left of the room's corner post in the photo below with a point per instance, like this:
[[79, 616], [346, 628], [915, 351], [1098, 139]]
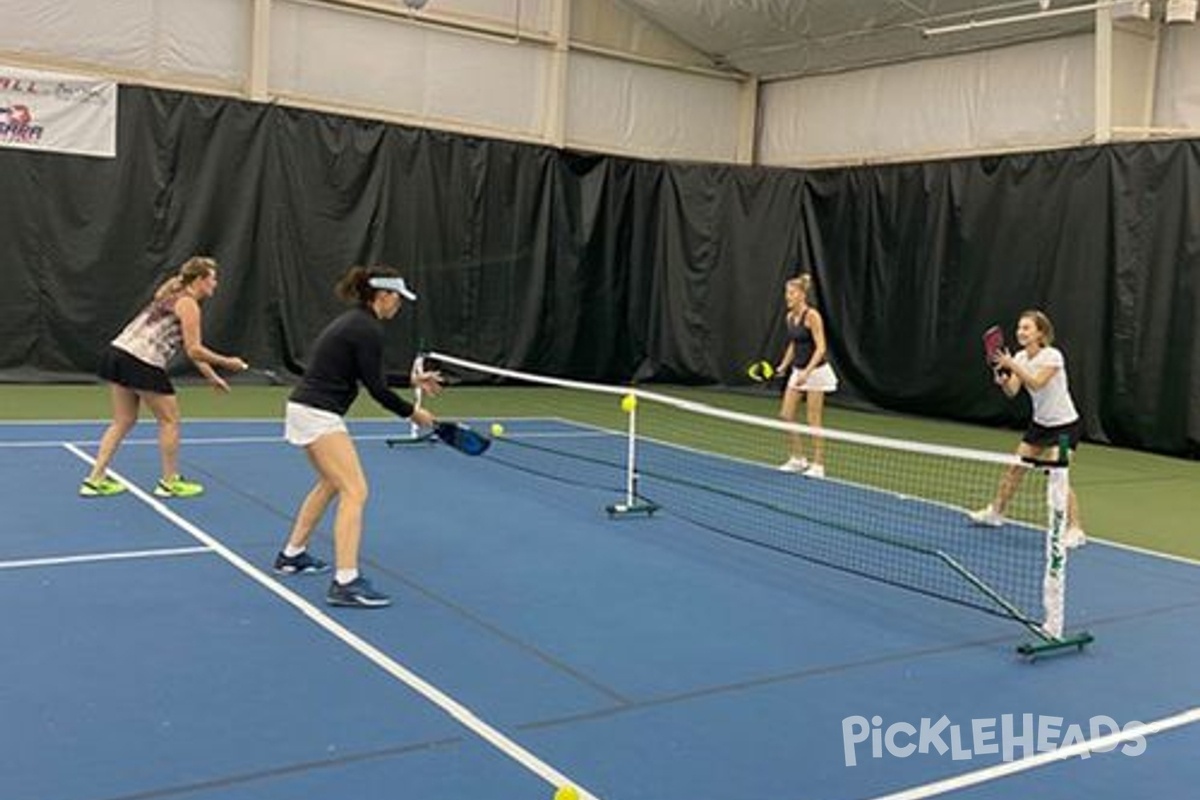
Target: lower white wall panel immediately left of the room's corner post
[[633, 109]]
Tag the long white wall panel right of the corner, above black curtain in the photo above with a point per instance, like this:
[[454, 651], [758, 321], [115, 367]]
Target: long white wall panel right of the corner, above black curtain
[[1023, 97]]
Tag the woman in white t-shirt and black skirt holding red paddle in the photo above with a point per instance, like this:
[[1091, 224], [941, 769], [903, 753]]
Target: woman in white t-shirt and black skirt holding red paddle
[[1040, 369]]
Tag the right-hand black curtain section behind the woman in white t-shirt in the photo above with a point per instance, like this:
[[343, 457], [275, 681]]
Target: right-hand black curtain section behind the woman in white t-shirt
[[916, 261]]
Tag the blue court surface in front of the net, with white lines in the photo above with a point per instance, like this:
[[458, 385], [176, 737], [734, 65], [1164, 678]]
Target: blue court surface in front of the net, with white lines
[[149, 651]]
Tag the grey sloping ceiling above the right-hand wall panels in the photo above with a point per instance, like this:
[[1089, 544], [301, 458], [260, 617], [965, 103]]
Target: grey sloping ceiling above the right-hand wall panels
[[775, 39]]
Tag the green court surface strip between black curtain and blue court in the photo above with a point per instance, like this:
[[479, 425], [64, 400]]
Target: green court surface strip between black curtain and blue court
[[1135, 498]]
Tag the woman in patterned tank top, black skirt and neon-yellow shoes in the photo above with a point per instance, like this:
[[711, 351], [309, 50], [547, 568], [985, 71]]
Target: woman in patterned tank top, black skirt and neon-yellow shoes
[[135, 365]]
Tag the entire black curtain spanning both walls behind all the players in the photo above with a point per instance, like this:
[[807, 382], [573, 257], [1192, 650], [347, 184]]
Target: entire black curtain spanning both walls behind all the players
[[617, 269]]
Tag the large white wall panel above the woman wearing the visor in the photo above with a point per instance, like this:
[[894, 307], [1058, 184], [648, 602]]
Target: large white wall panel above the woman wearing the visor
[[386, 65]]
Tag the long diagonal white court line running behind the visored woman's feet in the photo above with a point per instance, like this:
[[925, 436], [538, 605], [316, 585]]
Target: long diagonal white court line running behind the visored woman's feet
[[460, 713]]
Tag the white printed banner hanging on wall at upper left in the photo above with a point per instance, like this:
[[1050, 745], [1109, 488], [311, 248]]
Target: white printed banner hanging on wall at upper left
[[58, 113]]
